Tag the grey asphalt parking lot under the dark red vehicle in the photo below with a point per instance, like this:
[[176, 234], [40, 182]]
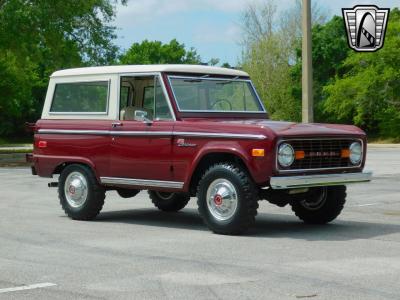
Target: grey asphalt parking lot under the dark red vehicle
[[134, 251]]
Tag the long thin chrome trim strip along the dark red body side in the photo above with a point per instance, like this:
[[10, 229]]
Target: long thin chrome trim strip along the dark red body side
[[154, 133]]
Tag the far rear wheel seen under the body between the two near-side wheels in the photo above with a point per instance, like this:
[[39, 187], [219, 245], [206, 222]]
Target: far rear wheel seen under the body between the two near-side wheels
[[169, 202]]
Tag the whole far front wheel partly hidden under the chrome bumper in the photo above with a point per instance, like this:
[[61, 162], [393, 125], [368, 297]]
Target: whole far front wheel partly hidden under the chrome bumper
[[321, 205]]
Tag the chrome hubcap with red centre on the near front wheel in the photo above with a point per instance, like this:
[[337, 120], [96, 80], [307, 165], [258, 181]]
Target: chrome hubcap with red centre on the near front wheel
[[222, 199]]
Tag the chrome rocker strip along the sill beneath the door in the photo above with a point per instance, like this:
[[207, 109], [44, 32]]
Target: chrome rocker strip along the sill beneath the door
[[141, 182]]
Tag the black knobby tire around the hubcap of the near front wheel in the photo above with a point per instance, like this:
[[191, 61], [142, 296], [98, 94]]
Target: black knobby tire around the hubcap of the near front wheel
[[247, 198]]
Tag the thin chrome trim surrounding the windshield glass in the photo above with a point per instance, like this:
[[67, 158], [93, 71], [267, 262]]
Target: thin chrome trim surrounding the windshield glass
[[216, 111]]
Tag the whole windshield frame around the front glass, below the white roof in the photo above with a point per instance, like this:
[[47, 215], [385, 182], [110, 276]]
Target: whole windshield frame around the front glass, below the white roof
[[219, 78]]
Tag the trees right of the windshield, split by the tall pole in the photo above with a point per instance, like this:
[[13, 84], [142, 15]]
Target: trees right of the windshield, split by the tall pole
[[349, 87]]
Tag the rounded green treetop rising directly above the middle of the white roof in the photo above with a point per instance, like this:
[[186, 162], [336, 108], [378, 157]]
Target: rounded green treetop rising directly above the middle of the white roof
[[155, 52]]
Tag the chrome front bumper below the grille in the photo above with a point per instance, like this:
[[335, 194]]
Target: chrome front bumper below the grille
[[290, 182]]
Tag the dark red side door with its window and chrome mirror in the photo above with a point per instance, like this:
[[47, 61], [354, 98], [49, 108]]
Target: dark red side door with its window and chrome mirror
[[142, 147]]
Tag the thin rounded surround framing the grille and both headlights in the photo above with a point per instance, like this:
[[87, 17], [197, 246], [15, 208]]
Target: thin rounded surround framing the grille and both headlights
[[315, 169]]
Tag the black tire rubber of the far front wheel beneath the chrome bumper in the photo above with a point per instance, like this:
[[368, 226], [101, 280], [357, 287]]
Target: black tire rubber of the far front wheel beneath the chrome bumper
[[327, 212]]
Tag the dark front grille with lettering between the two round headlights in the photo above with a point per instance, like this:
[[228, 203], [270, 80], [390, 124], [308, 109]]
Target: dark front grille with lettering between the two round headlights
[[320, 154]]
